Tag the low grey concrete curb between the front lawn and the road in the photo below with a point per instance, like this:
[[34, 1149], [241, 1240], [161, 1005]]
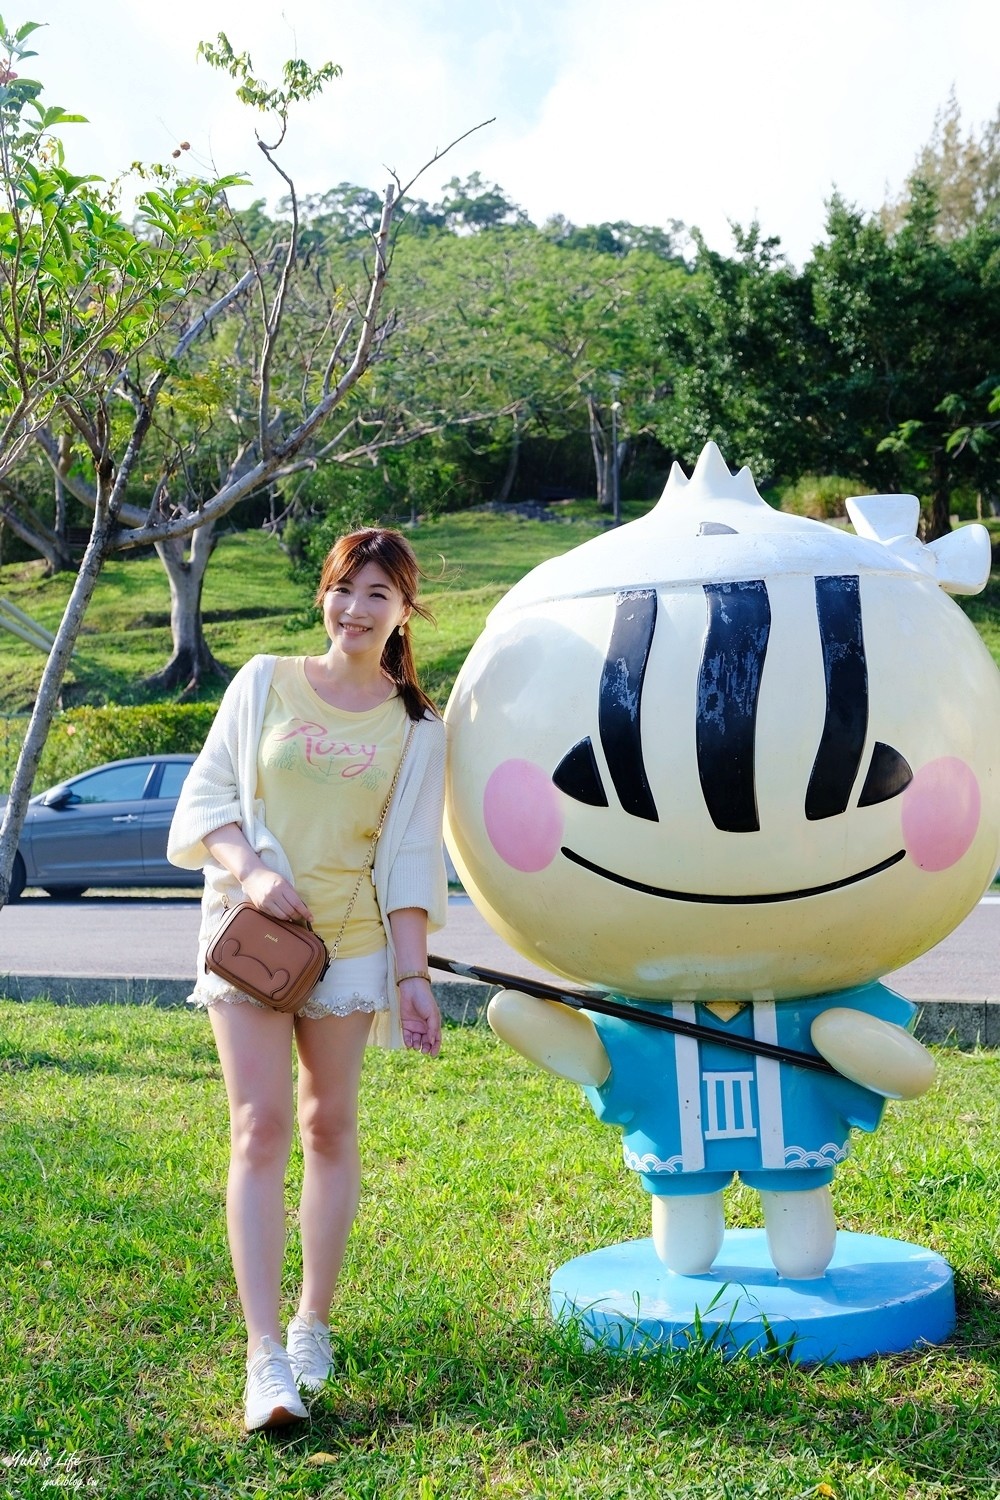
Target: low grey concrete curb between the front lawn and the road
[[953, 1024]]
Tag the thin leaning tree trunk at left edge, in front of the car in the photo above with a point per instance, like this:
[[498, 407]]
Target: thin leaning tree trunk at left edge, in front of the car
[[49, 694]]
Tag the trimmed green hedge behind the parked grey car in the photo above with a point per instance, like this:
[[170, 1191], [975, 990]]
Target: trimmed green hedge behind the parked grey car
[[82, 739]]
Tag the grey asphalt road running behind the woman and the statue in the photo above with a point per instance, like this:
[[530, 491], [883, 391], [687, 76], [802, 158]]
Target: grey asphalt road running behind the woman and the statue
[[154, 937]]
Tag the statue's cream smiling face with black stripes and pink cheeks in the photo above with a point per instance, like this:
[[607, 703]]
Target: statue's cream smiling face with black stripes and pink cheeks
[[770, 785]]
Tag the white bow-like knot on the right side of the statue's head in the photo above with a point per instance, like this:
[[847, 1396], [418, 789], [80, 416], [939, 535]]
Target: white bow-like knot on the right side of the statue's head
[[960, 562]]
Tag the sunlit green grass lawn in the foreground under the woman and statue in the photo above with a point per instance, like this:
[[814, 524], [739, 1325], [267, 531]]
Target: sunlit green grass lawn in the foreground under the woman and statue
[[121, 1340]]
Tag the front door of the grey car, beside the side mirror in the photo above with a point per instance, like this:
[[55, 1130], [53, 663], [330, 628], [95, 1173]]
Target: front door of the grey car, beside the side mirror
[[95, 836]]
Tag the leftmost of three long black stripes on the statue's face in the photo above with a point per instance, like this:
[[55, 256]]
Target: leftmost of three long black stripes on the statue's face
[[621, 697]]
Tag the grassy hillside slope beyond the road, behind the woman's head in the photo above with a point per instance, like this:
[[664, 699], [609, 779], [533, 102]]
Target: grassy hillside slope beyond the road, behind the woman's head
[[254, 604]]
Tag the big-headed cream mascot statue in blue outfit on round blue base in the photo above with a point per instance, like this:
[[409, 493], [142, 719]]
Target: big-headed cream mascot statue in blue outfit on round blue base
[[729, 767]]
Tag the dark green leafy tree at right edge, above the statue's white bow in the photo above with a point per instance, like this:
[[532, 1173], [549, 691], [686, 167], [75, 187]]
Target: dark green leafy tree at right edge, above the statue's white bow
[[911, 325]]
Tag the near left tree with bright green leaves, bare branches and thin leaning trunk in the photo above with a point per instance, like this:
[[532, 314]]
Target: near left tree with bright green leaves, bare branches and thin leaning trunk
[[73, 266]]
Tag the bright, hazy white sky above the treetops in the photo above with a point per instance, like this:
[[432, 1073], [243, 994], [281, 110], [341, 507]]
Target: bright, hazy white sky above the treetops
[[708, 112]]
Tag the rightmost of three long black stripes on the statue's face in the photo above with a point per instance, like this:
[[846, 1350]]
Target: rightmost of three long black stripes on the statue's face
[[845, 665]]
